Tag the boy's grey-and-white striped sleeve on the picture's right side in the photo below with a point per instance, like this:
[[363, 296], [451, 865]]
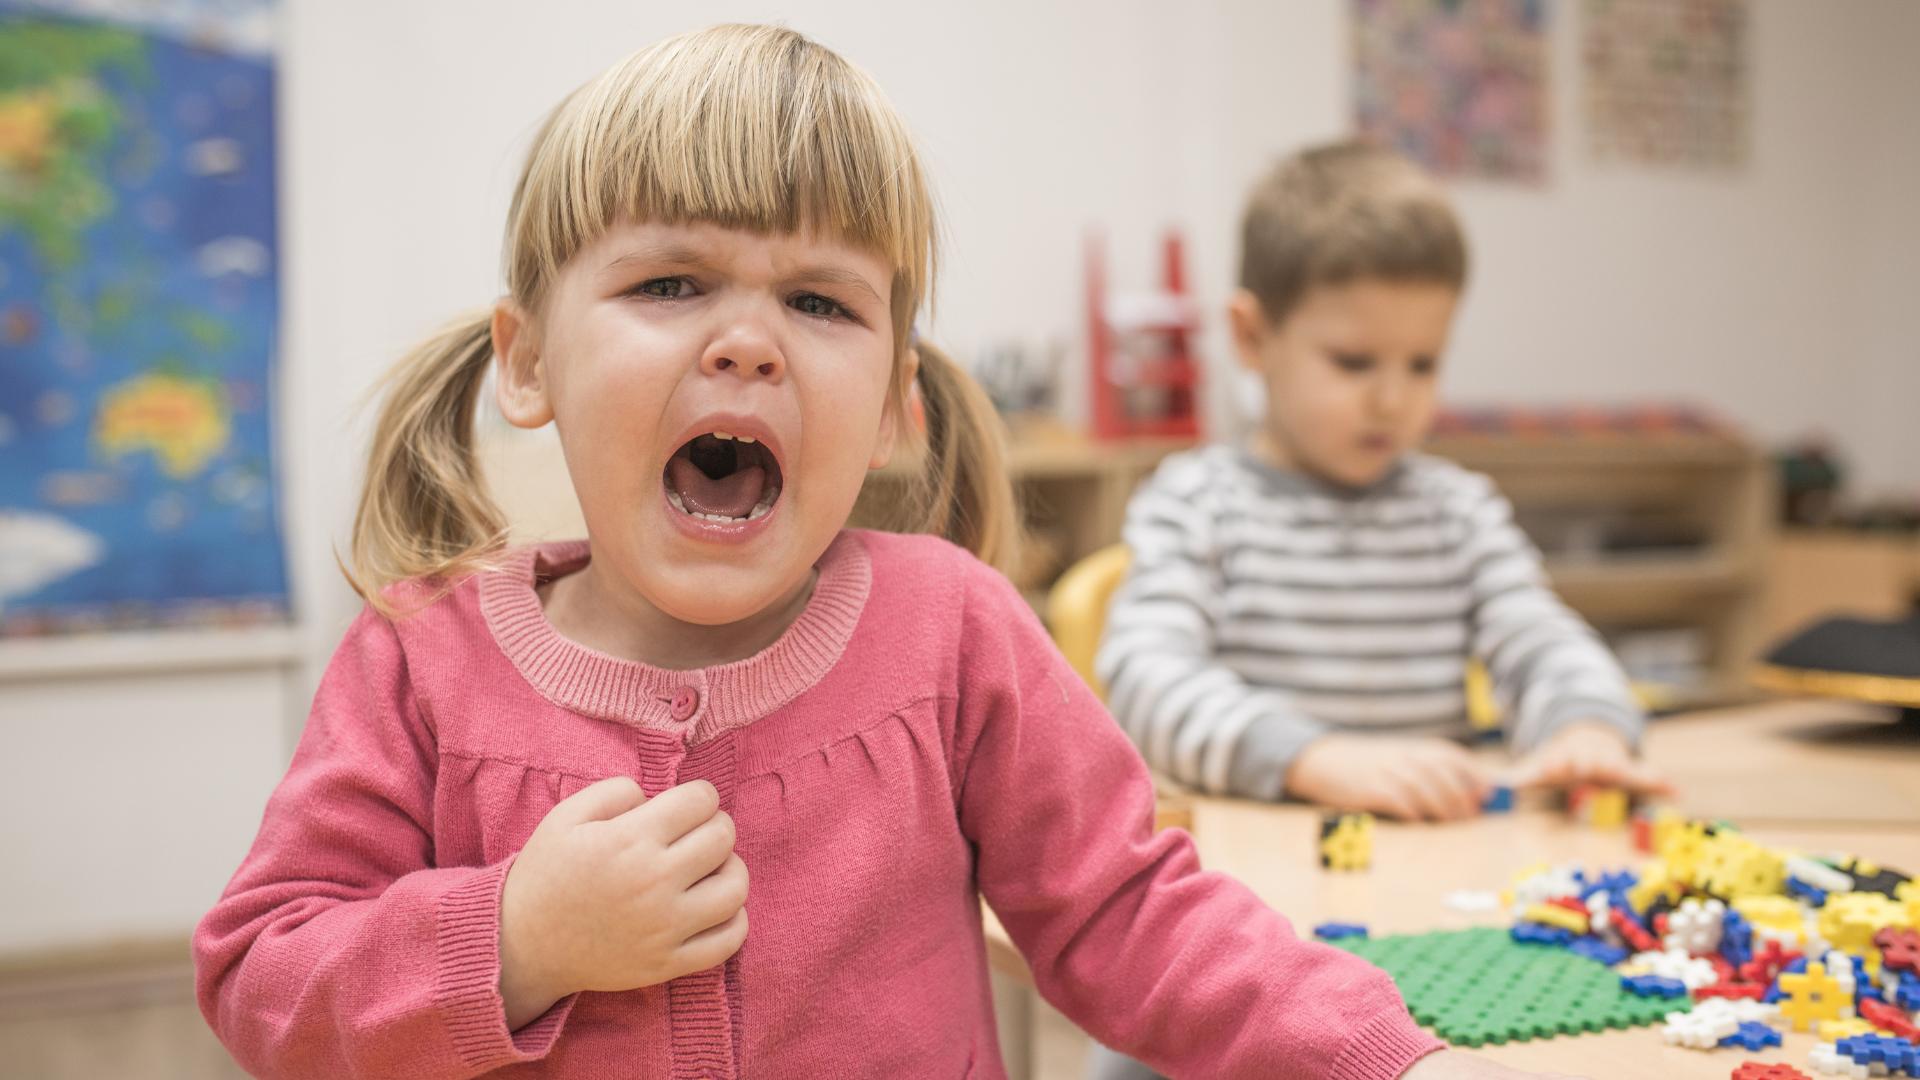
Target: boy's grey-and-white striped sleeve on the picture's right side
[[1550, 670]]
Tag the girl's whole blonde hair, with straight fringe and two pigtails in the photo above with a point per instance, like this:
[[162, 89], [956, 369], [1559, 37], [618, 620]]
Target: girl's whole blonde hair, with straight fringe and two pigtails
[[736, 126]]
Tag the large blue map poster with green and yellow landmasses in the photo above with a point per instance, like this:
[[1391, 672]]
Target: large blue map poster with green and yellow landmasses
[[139, 305]]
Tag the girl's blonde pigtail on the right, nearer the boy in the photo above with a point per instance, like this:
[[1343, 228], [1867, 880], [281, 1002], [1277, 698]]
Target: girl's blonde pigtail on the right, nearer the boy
[[965, 493]]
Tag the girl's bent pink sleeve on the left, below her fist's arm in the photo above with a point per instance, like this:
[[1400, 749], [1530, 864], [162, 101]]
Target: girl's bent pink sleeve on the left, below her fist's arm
[[339, 948]]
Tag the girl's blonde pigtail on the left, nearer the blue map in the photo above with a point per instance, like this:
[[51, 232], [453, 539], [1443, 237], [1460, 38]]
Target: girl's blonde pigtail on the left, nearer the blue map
[[425, 510]]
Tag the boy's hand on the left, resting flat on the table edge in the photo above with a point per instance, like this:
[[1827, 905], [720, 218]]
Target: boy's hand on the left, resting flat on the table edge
[[1414, 779]]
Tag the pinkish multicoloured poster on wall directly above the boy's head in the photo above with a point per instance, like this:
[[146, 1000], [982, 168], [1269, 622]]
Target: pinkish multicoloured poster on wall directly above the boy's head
[[1458, 86]]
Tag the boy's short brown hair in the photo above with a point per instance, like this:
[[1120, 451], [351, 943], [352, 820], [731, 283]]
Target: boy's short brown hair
[[1341, 212]]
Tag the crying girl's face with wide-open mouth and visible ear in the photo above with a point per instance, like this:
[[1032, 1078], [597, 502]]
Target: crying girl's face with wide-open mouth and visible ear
[[719, 395]]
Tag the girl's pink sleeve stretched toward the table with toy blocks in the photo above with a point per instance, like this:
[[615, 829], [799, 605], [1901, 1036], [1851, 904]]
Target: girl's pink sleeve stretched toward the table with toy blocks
[[1122, 929]]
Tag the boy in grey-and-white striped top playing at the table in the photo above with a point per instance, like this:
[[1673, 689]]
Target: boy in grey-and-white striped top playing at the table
[[1301, 610]]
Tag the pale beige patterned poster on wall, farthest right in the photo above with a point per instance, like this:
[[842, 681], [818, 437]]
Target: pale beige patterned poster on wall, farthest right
[[1668, 82]]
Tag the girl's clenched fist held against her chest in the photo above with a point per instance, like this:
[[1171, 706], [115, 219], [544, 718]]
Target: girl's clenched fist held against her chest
[[617, 893]]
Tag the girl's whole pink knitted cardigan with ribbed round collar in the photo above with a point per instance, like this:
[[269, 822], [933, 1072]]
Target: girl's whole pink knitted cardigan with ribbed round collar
[[909, 745]]
